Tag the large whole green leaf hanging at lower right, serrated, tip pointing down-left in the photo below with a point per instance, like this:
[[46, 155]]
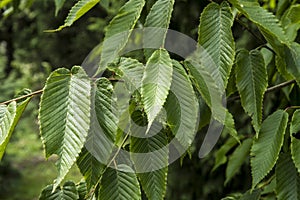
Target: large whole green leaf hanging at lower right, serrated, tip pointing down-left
[[266, 148]]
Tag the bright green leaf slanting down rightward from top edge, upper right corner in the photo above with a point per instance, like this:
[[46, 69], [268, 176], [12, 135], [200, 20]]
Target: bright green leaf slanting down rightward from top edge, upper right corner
[[266, 21]]
